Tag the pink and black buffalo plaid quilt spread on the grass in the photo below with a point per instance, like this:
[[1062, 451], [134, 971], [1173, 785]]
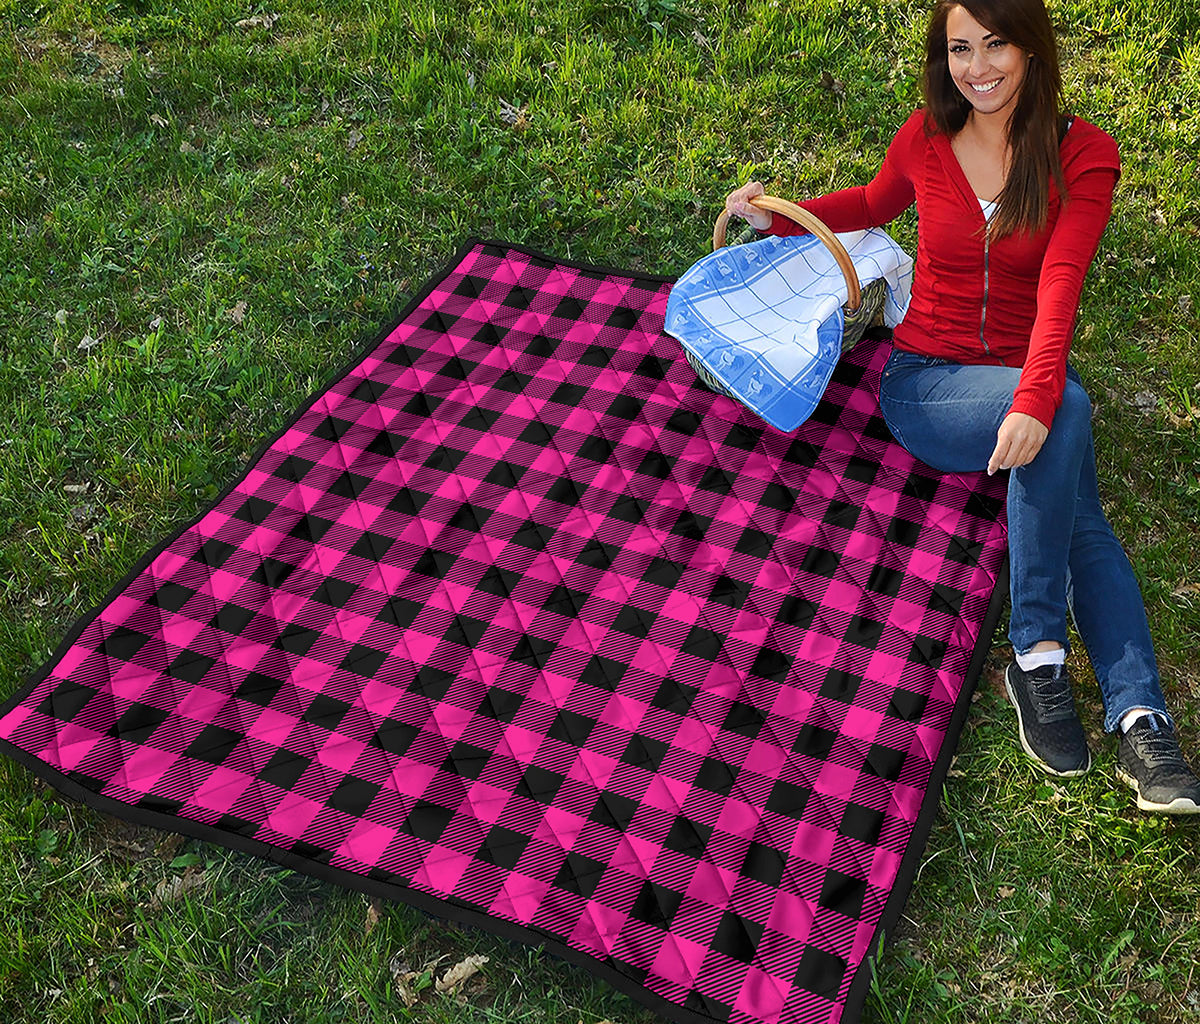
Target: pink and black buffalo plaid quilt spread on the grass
[[518, 622]]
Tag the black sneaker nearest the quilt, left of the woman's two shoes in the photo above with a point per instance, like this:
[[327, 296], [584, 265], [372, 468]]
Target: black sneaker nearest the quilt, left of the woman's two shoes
[[1046, 715]]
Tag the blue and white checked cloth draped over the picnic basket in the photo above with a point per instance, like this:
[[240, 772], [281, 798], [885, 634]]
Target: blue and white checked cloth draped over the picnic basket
[[766, 319]]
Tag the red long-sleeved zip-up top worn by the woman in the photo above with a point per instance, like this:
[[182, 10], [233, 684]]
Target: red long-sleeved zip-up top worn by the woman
[[1012, 302]]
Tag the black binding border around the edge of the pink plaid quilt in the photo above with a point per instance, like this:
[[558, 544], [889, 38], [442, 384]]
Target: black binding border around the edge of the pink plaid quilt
[[453, 909]]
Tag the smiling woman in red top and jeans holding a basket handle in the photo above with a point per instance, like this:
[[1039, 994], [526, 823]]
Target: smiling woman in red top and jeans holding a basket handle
[[1013, 197]]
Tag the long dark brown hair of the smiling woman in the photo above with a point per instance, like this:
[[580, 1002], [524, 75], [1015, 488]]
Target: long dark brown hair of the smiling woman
[[1037, 123]]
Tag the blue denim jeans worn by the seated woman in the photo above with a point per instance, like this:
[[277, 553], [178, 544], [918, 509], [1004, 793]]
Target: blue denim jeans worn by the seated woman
[[1063, 552]]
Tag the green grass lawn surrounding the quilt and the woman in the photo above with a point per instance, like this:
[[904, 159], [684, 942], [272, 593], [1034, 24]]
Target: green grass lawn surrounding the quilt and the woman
[[160, 167]]
